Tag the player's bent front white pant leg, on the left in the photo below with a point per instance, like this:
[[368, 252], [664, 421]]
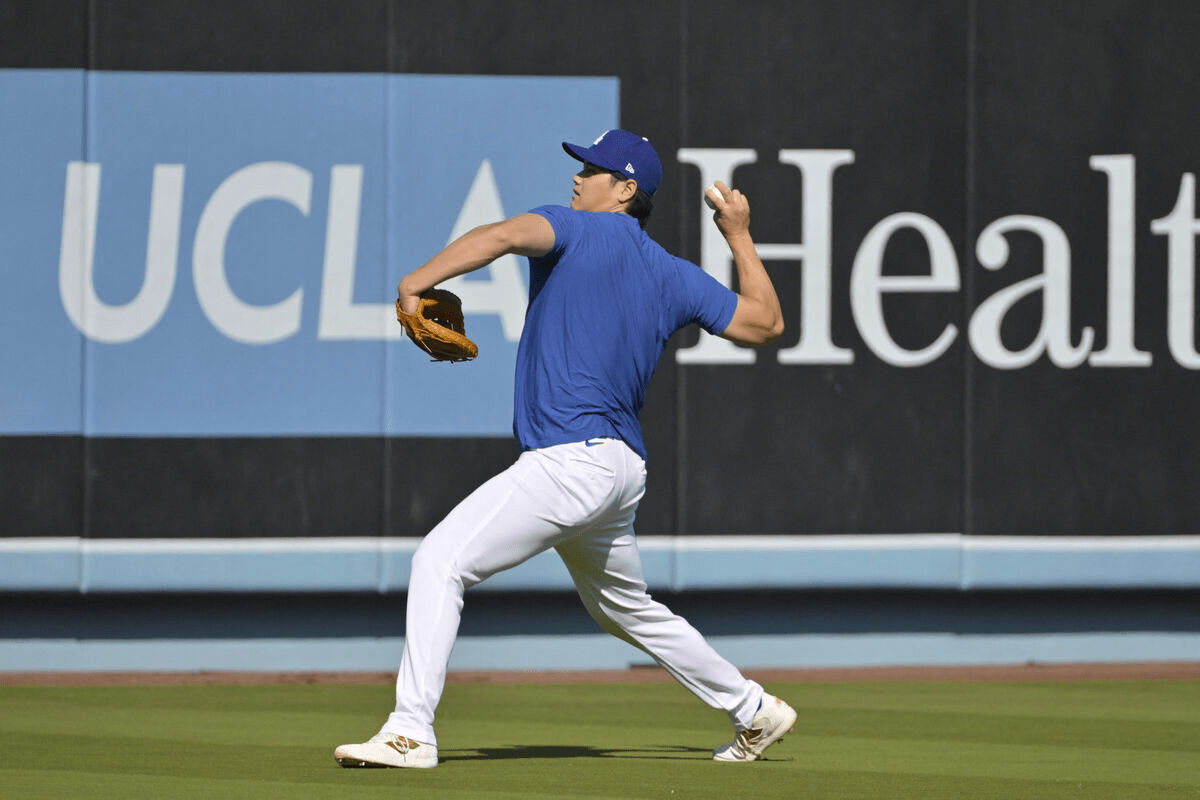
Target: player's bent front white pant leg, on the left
[[525, 510]]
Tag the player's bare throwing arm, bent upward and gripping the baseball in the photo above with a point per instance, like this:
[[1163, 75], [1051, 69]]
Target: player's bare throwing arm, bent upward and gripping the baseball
[[758, 320]]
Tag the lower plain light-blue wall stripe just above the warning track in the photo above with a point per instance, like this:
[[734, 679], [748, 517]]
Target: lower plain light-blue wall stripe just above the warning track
[[593, 652]]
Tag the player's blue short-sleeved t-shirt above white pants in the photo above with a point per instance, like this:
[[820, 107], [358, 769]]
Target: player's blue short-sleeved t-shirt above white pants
[[603, 305]]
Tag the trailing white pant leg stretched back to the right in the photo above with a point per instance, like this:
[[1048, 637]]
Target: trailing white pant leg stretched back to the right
[[605, 564]]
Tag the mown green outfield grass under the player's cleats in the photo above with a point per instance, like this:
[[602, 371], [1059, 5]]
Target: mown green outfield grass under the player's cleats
[[887, 741]]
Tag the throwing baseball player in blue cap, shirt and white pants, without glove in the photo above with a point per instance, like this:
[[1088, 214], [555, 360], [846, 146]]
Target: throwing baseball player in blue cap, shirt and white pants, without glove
[[604, 299]]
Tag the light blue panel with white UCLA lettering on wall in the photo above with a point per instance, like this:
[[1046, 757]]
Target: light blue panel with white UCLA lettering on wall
[[217, 255]]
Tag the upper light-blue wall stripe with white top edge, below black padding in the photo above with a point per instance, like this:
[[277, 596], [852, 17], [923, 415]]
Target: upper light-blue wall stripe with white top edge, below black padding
[[382, 564]]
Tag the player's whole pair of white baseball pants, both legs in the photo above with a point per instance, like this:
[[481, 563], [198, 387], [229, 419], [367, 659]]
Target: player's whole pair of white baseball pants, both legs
[[580, 500]]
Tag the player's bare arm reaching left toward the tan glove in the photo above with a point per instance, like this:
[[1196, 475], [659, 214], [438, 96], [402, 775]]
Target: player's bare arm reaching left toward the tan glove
[[526, 234]]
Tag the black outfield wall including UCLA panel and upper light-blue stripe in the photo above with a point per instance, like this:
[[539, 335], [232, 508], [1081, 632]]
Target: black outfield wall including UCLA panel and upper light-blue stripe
[[980, 216]]
